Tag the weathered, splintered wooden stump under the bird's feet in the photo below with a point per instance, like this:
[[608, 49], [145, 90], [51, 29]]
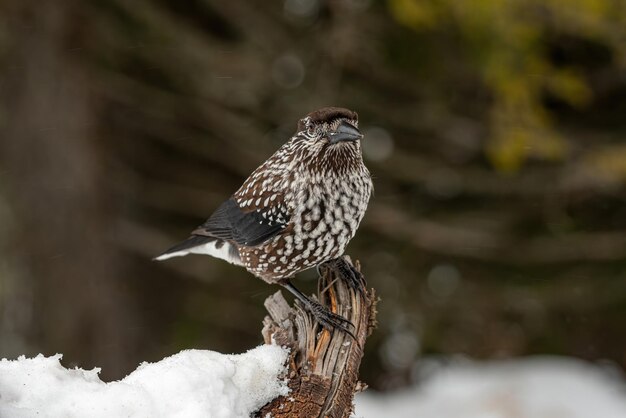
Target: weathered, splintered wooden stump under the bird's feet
[[323, 366]]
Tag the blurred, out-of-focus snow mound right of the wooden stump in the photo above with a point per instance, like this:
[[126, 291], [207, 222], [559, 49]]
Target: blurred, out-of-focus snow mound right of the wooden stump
[[542, 387]]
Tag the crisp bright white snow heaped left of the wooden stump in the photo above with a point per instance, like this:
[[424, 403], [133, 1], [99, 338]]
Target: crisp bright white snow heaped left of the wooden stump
[[192, 383]]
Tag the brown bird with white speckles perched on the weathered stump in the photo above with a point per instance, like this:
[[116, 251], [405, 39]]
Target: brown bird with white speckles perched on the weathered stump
[[297, 210]]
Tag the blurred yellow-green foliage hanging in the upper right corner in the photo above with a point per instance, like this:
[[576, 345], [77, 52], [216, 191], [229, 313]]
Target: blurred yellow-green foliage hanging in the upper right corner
[[508, 43]]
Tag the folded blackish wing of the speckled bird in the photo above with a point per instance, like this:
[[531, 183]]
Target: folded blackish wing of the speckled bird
[[247, 226]]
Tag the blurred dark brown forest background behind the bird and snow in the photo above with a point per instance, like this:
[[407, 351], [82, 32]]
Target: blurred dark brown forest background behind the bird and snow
[[494, 131]]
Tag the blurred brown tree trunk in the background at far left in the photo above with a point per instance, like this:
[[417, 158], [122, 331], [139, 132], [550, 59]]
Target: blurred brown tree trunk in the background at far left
[[53, 175]]
